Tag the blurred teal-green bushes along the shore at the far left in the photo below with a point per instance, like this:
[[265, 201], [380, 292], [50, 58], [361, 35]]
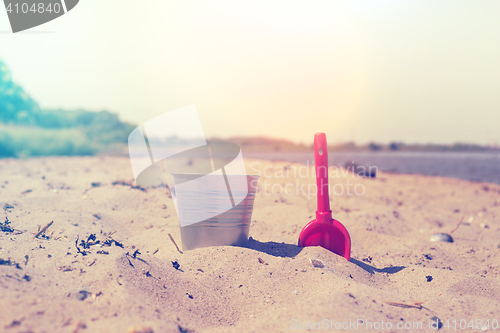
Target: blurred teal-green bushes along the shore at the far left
[[26, 130]]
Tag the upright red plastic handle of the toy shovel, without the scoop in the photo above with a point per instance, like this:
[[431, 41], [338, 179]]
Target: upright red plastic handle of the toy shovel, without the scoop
[[321, 163]]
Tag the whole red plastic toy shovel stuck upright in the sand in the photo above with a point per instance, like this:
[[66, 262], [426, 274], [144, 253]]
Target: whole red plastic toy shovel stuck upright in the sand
[[325, 231]]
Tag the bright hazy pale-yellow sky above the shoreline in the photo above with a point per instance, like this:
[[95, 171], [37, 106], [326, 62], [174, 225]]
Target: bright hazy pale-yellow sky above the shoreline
[[414, 71]]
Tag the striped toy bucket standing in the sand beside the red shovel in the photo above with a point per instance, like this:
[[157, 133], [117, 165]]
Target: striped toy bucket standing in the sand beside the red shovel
[[231, 227]]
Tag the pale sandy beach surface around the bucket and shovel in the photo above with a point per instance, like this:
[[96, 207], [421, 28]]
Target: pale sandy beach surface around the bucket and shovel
[[142, 283]]
